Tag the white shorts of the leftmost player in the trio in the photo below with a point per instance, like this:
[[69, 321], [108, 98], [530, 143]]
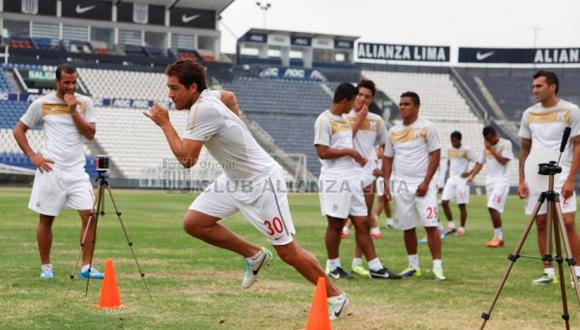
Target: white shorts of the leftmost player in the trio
[[341, 198]]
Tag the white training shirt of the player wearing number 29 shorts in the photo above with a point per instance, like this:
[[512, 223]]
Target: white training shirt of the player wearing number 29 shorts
[[410, 146]]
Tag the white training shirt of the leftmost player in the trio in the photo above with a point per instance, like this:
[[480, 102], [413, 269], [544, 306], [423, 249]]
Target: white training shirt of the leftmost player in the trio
[[335, 132]]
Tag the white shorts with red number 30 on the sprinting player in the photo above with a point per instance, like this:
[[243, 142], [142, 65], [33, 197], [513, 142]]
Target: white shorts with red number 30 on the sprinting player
[[263, 202]]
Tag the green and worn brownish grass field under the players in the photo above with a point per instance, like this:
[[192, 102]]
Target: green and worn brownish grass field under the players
[[196, 286]]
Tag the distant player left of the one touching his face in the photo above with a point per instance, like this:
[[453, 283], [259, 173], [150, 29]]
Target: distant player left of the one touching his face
[[456, 188]]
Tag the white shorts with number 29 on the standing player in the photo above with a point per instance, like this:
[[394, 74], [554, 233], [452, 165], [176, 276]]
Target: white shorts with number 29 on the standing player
[[409, 205]]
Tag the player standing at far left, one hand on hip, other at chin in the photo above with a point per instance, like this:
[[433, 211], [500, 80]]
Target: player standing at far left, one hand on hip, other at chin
[[60, 180]]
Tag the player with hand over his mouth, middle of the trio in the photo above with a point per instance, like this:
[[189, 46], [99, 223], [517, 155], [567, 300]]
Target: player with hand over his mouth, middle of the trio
[[369, 131]]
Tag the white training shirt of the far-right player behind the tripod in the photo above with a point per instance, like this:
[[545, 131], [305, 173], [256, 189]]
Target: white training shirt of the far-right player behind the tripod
[[545, 127]]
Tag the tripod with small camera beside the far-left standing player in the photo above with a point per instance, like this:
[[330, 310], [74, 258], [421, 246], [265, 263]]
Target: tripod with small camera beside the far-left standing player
[[99, 210]]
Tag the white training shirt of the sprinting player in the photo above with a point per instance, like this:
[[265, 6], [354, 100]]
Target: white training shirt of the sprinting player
[[227, 138]]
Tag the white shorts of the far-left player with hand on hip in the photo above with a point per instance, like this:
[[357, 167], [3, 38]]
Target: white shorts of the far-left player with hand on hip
[[57, 189]]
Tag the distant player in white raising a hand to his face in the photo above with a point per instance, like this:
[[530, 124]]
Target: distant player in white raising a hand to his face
[[497, 154]]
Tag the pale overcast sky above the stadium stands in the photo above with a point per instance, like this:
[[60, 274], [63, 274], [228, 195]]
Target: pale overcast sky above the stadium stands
[[486, 23]]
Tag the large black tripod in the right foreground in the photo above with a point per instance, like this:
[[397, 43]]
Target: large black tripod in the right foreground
[[555, 222]]
